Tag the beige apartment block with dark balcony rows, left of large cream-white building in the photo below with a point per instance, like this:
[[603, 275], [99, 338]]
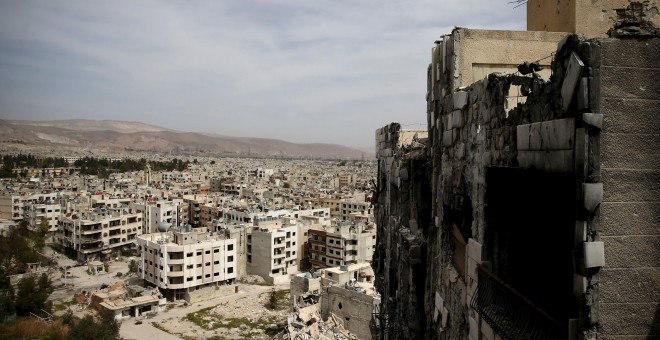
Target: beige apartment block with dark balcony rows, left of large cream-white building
[[100, 233]]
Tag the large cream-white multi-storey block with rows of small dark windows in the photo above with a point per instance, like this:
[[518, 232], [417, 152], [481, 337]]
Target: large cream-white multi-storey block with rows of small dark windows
[[185, 260]]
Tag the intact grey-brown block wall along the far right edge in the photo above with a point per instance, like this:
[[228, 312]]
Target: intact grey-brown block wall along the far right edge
[[630, 173]]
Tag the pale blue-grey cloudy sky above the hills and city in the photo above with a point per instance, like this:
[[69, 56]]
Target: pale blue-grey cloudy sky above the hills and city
[[303, 71]]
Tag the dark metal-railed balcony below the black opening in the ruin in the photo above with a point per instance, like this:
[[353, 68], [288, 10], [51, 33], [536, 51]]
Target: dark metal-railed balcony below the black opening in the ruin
[[511, 315]]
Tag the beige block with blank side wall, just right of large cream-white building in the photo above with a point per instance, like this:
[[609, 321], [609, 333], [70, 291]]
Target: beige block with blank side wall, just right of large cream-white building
[[272, 250]]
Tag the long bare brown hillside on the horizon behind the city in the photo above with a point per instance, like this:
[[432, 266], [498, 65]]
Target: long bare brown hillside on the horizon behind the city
[[120, 136]]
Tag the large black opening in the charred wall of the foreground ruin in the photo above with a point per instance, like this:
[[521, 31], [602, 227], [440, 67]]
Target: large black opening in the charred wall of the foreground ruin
[[530, 218]]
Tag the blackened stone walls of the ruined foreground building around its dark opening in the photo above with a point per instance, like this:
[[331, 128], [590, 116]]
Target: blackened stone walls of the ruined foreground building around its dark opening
[[423, 189]]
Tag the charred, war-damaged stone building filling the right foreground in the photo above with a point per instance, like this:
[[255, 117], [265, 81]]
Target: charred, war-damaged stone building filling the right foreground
[[529, 207]]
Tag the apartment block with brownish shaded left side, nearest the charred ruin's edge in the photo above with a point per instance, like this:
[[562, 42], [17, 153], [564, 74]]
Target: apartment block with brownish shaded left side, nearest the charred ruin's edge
[[342, 244]]
